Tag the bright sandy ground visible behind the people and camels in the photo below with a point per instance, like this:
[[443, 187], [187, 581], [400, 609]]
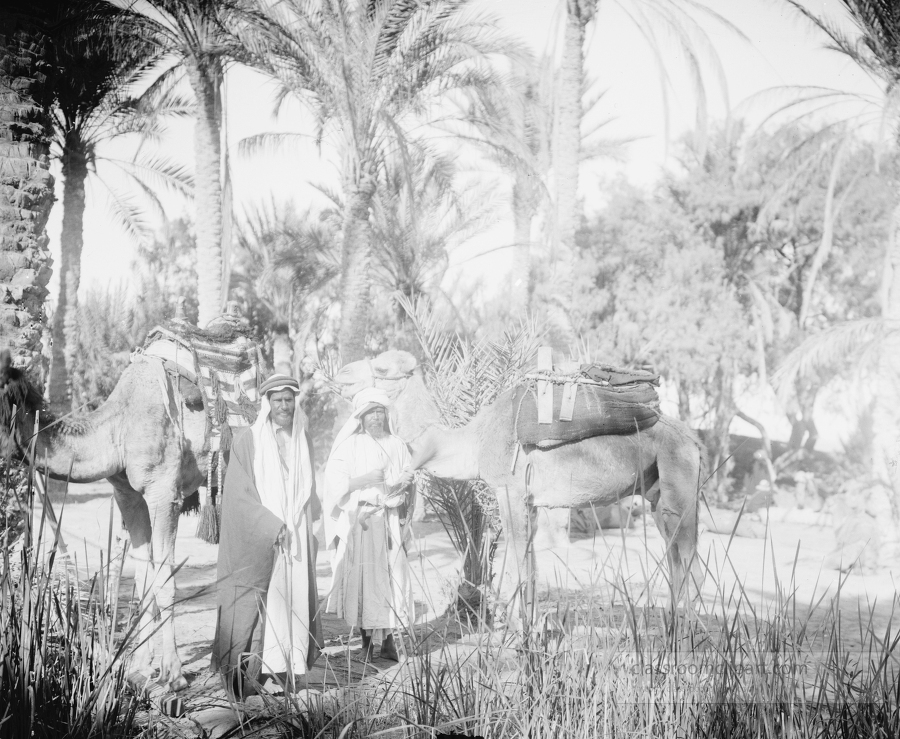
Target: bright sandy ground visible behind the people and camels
[[790, 556]]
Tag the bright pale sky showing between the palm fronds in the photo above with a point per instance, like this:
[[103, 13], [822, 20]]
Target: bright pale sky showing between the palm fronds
[[779, 49]]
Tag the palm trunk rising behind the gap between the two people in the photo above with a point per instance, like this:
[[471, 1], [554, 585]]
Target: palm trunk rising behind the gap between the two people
[[355, 279]]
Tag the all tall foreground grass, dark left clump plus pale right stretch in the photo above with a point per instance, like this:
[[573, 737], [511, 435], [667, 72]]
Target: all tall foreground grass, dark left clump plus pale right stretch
[[600, 659]]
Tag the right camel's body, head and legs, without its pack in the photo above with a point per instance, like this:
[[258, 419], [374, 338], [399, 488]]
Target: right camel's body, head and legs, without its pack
[[664, 464]]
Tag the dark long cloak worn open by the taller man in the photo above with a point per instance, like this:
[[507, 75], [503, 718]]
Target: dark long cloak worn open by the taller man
[[246, 560]]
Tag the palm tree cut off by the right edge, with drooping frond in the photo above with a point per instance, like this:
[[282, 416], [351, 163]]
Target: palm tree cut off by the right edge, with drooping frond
[[875, 48]]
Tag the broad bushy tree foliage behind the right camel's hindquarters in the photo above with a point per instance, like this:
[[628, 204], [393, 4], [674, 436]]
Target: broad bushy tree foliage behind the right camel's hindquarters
[[719, 272]]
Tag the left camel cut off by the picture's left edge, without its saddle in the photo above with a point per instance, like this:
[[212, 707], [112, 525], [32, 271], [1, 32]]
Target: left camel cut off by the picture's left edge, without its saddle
[[153, 449]]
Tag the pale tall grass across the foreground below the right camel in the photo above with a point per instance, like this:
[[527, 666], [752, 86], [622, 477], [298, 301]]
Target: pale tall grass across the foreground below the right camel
[[595, 667]]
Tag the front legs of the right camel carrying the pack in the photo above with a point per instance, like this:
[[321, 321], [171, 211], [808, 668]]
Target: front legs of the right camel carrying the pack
[[517, 575]]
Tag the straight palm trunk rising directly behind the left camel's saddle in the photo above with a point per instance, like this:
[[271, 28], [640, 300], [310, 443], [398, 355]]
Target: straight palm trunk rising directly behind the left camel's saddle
[[207, 189]]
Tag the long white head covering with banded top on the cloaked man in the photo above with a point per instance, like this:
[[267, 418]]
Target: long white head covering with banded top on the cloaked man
[[286, 499]]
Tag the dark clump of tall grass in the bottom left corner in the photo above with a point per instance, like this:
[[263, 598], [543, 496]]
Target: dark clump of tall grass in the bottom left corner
[[62, 673]]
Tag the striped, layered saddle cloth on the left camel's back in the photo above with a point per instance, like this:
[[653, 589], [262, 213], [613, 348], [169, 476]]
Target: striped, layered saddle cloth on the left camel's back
[[225, 366]]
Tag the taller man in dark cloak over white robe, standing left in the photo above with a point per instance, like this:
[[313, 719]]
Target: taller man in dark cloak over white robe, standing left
[[268, 605]]
